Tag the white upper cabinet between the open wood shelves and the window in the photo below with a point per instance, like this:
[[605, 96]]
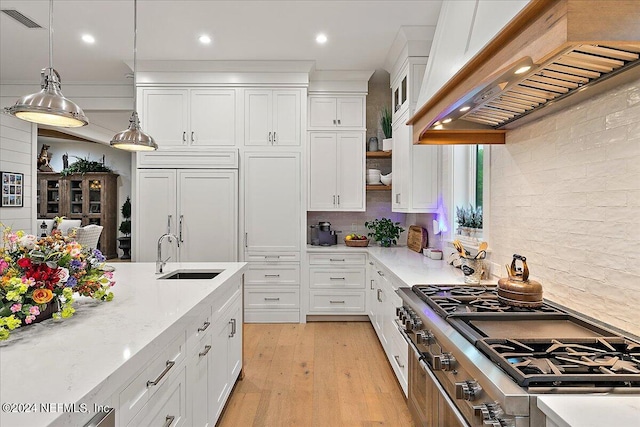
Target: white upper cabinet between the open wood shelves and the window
[[415, 172]]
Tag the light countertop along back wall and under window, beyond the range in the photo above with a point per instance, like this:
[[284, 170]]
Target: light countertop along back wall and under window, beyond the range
[[408, 266]]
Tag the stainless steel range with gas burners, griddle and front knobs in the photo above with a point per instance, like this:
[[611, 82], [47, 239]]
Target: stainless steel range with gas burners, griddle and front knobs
[[478, 362]]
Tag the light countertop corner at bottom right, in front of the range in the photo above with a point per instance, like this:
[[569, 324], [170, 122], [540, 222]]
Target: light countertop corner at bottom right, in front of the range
[[589, 411]]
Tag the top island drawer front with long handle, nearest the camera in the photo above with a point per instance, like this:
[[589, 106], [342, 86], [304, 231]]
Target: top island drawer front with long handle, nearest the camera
[[140, 390]]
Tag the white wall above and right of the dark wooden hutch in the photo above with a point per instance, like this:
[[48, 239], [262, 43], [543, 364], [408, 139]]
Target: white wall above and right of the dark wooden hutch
[[118, 160]]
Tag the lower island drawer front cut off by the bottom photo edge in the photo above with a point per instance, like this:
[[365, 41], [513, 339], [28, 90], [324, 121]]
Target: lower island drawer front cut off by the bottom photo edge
[[166, 408]]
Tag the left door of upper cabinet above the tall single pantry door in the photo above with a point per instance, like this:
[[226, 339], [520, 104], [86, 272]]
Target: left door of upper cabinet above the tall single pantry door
[[258, 129]]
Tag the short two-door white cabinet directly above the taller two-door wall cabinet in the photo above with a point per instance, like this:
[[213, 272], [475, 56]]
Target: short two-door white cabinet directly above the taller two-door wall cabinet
[[329, 112]]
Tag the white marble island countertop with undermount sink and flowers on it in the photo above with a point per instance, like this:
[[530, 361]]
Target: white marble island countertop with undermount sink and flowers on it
[[87, 357]]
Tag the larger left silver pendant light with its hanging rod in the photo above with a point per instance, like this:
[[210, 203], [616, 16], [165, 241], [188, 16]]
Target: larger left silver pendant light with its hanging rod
[[49, 106]]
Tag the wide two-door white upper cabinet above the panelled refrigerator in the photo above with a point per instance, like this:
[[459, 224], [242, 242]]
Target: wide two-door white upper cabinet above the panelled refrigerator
[[189, 117]]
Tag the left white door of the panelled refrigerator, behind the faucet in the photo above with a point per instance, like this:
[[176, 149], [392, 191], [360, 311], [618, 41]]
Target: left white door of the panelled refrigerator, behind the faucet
[[155, 213]]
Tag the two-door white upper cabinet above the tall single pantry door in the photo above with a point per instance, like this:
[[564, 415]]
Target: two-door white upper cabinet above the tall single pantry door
[[272, 117]]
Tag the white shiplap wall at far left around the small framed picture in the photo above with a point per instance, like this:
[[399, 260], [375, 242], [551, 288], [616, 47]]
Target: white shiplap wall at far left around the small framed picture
[[17, 146]]
